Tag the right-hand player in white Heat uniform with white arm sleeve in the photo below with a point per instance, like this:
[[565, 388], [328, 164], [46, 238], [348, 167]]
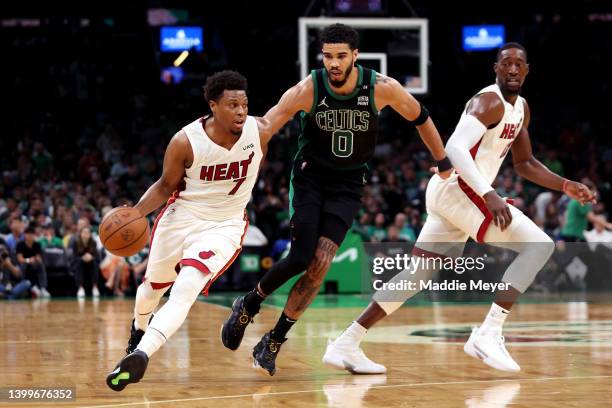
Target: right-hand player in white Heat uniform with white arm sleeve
[[465, 205]]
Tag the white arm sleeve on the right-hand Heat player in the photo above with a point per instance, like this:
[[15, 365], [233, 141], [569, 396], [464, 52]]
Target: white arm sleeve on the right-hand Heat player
[[468, 132]]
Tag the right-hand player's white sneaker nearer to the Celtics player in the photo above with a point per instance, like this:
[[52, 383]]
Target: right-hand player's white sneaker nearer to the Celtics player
[[351, 358]]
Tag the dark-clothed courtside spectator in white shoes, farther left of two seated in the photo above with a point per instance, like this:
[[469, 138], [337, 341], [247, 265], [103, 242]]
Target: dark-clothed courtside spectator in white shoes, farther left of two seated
[[30, 262]]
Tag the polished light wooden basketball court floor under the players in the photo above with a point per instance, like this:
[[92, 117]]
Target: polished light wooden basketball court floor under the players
[[564, 349]]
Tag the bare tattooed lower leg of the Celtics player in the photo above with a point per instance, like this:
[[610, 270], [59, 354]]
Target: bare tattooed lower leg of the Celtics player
[[306, 288]]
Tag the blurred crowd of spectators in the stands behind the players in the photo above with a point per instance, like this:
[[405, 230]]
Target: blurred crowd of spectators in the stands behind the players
[[50, 210]]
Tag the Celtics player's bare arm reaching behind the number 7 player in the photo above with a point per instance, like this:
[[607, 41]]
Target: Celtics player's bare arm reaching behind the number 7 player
[[295, 99]]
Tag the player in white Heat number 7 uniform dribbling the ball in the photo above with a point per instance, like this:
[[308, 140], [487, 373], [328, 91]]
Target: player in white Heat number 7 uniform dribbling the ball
[[214, 161]]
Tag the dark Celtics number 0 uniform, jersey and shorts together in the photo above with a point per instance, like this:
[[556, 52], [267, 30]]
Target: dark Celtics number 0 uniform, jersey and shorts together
[[337, 139]]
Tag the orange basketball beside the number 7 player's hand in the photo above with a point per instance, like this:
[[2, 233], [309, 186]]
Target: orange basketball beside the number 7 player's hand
[[123, 231]]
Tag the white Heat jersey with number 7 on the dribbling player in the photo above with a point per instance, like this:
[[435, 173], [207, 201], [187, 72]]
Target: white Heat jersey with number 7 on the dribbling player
[[218, 184]]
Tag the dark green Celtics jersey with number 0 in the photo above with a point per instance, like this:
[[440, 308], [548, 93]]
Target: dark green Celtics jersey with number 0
[[340, 131]]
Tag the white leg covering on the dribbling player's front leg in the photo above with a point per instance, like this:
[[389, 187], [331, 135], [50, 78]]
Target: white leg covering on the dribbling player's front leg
[[171, 315]]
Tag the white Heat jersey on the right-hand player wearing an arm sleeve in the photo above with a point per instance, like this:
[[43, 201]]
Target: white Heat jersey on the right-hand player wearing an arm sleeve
[[490, 151]]
